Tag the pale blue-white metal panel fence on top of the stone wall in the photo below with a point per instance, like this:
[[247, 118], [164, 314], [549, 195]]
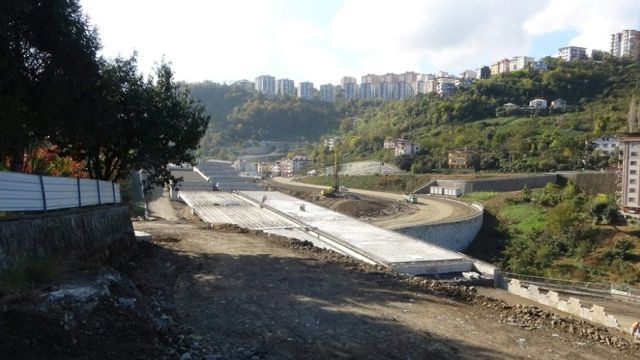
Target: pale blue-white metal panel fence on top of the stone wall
[[27, 192]]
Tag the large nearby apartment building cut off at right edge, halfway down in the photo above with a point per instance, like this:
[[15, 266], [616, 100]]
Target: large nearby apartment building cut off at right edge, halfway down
[[630, 177]]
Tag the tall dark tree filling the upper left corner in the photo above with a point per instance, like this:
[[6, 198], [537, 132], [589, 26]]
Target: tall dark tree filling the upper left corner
[[47, 67]]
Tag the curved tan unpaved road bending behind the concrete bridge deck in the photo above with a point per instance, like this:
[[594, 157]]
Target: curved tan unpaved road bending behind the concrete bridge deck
[[429, 209]]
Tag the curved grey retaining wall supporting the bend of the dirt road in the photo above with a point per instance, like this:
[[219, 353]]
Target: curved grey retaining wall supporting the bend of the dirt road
[[456, 235]]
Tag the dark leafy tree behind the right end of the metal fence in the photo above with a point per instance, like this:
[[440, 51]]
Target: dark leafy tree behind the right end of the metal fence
[[138, 124]]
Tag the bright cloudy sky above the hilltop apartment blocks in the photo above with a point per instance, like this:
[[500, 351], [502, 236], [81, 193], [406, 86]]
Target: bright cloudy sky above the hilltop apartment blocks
[[323, 40]]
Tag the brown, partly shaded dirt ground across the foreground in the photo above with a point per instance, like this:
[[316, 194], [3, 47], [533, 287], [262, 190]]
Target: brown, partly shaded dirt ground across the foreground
[[249, 296]]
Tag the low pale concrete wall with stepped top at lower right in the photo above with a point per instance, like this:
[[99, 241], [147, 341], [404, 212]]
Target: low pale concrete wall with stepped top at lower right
[[572, 306]]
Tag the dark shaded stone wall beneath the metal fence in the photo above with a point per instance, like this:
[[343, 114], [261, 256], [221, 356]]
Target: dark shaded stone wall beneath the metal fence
[[95, 233]]
